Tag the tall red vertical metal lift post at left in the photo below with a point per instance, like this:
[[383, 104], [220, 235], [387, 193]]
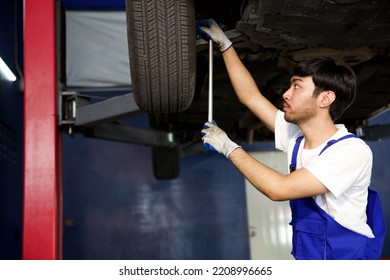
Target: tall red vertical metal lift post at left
[[41, 237]]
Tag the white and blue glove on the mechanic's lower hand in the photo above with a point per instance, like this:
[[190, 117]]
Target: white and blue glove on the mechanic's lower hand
[[216, 139]]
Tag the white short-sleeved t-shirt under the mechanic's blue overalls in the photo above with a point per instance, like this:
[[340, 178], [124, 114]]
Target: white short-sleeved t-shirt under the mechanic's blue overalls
[[343, 168]]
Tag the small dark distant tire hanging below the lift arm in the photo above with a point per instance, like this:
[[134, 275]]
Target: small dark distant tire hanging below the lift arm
[[166, 162]]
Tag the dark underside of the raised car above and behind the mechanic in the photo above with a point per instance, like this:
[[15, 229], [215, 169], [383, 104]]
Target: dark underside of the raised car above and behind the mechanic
[[272, 36]]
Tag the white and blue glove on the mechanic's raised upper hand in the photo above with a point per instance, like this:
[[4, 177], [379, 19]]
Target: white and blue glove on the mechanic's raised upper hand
[[210, 30]]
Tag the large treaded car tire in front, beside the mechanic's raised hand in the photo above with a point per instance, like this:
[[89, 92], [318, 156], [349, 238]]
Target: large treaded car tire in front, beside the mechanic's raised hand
[[161, 42]]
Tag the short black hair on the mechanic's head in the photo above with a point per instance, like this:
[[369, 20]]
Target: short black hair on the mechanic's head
[[328, 75]]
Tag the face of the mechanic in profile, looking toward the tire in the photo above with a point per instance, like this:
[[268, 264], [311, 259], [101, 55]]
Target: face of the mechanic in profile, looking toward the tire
[[299, 103]]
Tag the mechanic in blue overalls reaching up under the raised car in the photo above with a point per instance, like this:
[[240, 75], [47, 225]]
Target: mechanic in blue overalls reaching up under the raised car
[[328, 192]]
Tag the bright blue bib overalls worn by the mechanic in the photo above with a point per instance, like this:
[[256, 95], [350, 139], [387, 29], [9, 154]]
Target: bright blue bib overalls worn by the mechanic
[[317, 236]]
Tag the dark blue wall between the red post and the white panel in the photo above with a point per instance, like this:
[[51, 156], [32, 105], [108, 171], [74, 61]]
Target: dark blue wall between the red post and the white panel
[[115, 209]]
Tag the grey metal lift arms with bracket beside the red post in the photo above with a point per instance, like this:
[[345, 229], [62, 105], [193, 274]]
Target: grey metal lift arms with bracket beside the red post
[[94, 119]]
